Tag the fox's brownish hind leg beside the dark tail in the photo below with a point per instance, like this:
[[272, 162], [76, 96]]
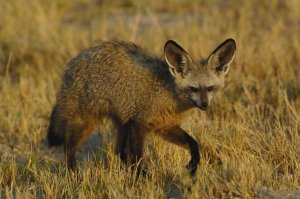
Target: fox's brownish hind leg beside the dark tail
[[78, 130]]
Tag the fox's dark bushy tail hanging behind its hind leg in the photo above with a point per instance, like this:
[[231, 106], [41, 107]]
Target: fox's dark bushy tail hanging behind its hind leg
[[54, 137]]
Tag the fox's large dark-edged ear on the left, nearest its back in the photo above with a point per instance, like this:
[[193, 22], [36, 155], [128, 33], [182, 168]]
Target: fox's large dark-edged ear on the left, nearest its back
[[177, 58]]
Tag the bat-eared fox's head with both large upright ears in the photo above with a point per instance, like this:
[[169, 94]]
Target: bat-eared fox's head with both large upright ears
[[197, 83]]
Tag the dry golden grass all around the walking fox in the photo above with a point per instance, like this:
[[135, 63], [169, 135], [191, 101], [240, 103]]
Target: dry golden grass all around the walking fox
[[252, 127]]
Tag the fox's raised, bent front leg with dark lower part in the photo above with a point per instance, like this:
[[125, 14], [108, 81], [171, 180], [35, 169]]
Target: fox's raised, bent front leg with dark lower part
[[179, 137]]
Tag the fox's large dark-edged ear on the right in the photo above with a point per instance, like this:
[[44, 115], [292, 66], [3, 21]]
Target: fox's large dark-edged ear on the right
[[222, 56]]
